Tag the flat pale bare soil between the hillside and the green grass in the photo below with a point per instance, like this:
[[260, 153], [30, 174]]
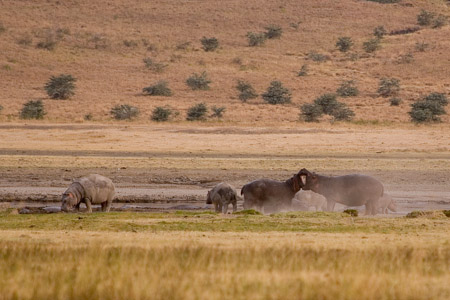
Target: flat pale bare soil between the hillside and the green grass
[[160, 167]]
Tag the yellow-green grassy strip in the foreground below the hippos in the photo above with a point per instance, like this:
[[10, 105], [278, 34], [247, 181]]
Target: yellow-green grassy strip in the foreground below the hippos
[[207, 256]]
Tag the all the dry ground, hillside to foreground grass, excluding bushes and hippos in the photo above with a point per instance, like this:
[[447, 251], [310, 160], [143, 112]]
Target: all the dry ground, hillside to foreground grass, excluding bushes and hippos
[[161, 240]]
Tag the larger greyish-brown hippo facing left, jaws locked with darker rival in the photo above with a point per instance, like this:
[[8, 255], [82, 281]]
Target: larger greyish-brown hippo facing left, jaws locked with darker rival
[[350, 190]]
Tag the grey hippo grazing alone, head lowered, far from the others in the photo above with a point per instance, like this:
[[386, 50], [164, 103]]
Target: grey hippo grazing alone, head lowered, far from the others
[[93, 189]]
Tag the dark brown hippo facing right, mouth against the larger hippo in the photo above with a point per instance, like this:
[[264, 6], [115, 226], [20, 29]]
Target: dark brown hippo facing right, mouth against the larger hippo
[[267, 195]]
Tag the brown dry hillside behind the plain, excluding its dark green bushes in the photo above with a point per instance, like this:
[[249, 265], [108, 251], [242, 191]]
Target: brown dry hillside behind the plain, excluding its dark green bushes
[[103, 44]]
